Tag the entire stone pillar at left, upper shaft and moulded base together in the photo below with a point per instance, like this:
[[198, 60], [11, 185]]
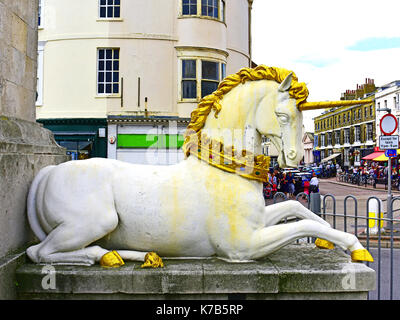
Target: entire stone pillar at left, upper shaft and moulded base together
[[25, 146]]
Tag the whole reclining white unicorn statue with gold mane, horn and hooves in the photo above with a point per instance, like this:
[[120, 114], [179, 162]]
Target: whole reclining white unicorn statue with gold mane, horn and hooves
[[209, 204]]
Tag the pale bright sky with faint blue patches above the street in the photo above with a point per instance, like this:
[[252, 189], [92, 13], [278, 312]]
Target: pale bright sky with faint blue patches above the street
[[330, 45]]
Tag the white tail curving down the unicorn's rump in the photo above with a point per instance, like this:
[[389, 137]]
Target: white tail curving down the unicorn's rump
[[31, 204]]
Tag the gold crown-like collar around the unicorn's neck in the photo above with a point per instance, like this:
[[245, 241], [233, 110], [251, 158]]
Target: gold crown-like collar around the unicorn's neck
[[213, 152]]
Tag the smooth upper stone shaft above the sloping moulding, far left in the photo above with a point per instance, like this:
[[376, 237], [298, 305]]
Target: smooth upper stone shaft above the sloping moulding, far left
[[18, 55]]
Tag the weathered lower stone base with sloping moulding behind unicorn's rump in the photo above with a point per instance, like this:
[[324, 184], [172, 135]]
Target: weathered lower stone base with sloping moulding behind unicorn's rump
[[25, 148]]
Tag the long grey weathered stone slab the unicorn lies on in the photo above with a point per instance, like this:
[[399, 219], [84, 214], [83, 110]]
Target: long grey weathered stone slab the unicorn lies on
[[294, 272]]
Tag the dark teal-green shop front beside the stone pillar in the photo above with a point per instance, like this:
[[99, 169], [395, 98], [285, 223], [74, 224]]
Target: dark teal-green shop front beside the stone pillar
[[83, 138]]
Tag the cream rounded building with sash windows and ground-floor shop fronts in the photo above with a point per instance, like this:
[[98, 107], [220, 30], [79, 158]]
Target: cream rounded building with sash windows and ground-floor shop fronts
[[118, 78]]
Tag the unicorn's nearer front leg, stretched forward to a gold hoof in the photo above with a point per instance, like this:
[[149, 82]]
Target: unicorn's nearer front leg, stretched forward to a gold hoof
[[272, 238]]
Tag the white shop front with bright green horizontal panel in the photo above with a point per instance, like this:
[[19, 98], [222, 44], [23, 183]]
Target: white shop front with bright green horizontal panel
[[153, 140]]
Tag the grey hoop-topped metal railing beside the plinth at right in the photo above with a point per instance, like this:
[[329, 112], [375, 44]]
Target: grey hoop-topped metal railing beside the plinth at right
[[376, 232]]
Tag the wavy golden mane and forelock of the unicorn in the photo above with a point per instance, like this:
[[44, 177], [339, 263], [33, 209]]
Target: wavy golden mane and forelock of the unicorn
[[210, 102]]
